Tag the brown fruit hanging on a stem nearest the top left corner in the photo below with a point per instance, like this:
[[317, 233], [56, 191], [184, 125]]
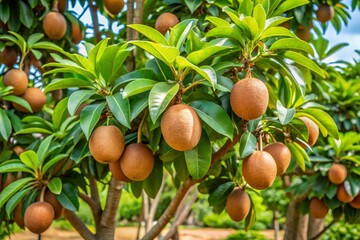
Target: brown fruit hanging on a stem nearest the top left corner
[[54, 25]]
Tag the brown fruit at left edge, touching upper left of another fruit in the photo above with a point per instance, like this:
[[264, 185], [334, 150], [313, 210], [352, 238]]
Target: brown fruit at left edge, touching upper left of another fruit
[[17, 79]]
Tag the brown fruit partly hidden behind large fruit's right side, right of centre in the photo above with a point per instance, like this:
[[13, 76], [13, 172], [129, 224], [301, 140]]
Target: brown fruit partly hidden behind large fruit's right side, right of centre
[[281, 154]]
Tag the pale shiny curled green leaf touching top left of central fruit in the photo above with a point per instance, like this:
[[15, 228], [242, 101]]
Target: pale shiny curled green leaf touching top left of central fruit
[[159, 98]]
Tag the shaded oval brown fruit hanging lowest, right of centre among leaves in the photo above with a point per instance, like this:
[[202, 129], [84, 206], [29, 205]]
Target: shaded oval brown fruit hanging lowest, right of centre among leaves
[[238, 204]]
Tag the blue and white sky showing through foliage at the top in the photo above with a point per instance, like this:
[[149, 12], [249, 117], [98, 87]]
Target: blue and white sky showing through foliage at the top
[[349, 34]]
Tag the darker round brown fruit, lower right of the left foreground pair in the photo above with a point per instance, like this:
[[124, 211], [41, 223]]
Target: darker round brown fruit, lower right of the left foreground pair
[[137, 161]]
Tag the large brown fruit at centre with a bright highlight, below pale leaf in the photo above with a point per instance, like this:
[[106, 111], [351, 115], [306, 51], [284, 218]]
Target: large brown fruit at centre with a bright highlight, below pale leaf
[[181, 127]]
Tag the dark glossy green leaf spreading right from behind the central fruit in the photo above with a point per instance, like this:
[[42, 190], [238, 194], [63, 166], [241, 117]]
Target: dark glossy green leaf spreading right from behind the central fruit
[[215, 116]]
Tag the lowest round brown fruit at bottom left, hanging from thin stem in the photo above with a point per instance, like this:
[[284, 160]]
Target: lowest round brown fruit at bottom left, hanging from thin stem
[[38, 217]]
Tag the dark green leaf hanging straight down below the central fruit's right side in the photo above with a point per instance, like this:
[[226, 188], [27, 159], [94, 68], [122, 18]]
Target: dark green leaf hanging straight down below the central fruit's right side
[[198, 160]]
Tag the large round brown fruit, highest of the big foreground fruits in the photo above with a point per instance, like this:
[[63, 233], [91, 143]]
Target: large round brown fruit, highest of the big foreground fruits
[[249, 98]]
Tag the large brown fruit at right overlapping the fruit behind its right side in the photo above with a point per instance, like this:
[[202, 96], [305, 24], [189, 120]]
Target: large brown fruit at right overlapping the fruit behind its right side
[[259, 170]]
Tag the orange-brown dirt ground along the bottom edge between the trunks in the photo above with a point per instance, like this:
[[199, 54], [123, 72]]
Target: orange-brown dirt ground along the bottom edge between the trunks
[[129, 233]]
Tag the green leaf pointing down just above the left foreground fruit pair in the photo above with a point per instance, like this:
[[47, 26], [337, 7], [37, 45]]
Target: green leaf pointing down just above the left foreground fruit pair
[[120, 108]]
